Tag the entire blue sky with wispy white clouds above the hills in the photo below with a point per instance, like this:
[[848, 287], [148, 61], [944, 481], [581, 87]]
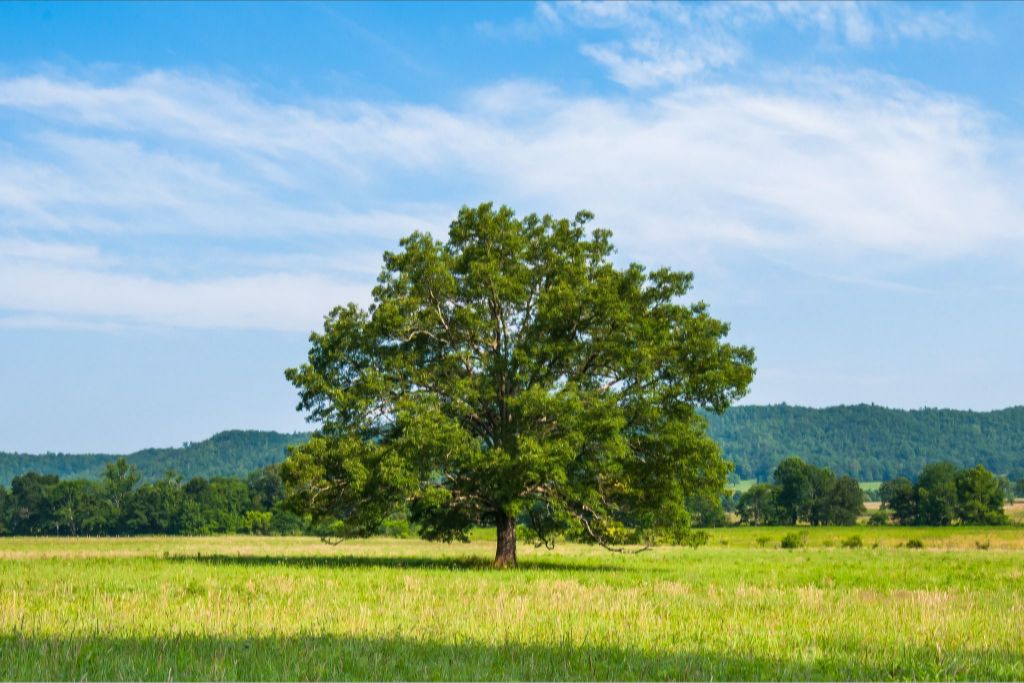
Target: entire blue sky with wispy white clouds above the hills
[[186, 190]]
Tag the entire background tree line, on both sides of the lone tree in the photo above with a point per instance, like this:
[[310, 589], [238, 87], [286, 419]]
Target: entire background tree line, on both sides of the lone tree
[[121, 503]]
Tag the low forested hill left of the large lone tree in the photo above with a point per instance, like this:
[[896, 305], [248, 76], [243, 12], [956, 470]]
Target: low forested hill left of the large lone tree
[[227, 454]]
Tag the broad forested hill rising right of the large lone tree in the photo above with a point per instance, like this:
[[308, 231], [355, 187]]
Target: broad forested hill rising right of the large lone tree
[[870, 443]]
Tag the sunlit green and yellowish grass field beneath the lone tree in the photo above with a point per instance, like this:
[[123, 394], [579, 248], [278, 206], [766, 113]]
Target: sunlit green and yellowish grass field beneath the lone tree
[[259, 609]]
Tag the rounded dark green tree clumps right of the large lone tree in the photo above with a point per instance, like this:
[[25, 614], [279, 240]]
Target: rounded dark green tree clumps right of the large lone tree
[[801, 493]]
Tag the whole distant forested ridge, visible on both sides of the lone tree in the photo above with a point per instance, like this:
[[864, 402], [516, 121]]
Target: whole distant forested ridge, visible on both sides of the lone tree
[[870, 443]]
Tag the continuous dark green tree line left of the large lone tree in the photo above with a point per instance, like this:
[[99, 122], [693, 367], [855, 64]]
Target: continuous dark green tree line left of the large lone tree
[[121, 504]]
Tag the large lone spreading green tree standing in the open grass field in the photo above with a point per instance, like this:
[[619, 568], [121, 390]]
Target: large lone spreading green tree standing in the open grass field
[[509, 375]]
